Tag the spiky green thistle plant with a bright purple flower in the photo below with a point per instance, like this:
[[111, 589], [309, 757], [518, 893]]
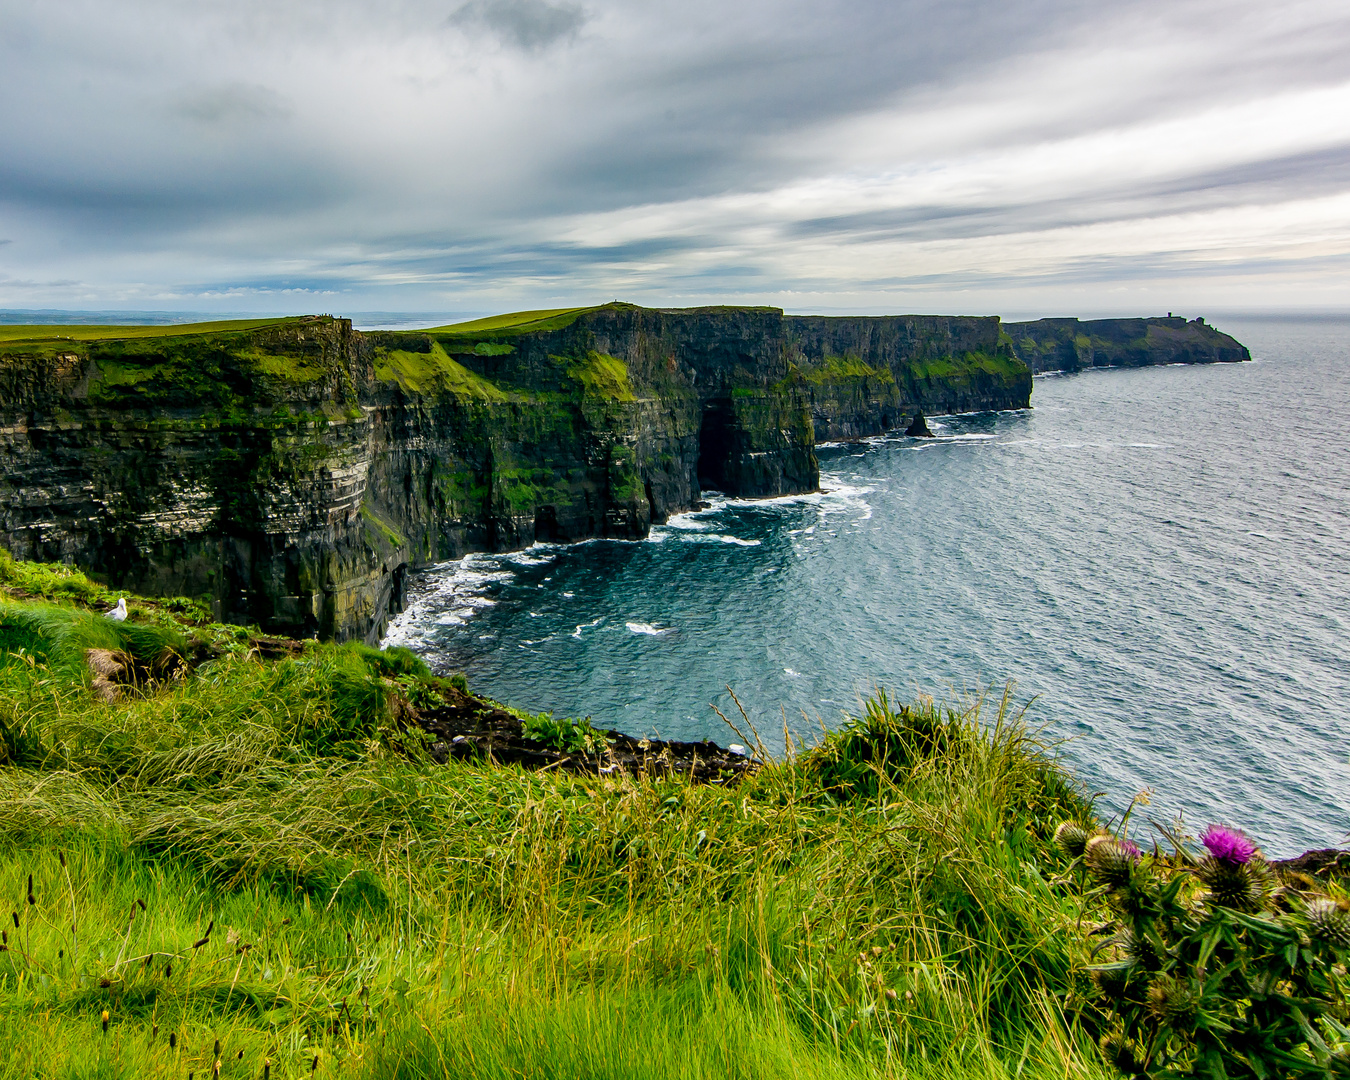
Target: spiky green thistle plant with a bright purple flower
[[1212, 969]]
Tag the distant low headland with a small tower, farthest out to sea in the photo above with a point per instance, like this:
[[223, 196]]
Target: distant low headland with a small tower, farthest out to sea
[[1067, 345]]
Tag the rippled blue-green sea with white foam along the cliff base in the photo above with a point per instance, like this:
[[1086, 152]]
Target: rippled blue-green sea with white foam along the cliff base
[[1158, 557]]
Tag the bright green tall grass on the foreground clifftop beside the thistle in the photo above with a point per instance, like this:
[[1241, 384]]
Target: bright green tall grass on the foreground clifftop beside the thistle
[[249, 867]]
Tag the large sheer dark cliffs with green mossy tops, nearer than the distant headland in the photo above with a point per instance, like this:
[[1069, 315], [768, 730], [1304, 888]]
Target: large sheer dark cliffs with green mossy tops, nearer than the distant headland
[[291, 475]]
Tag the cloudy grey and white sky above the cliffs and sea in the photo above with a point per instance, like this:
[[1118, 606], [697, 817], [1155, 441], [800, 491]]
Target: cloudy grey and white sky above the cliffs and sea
[[1040, 157]]
